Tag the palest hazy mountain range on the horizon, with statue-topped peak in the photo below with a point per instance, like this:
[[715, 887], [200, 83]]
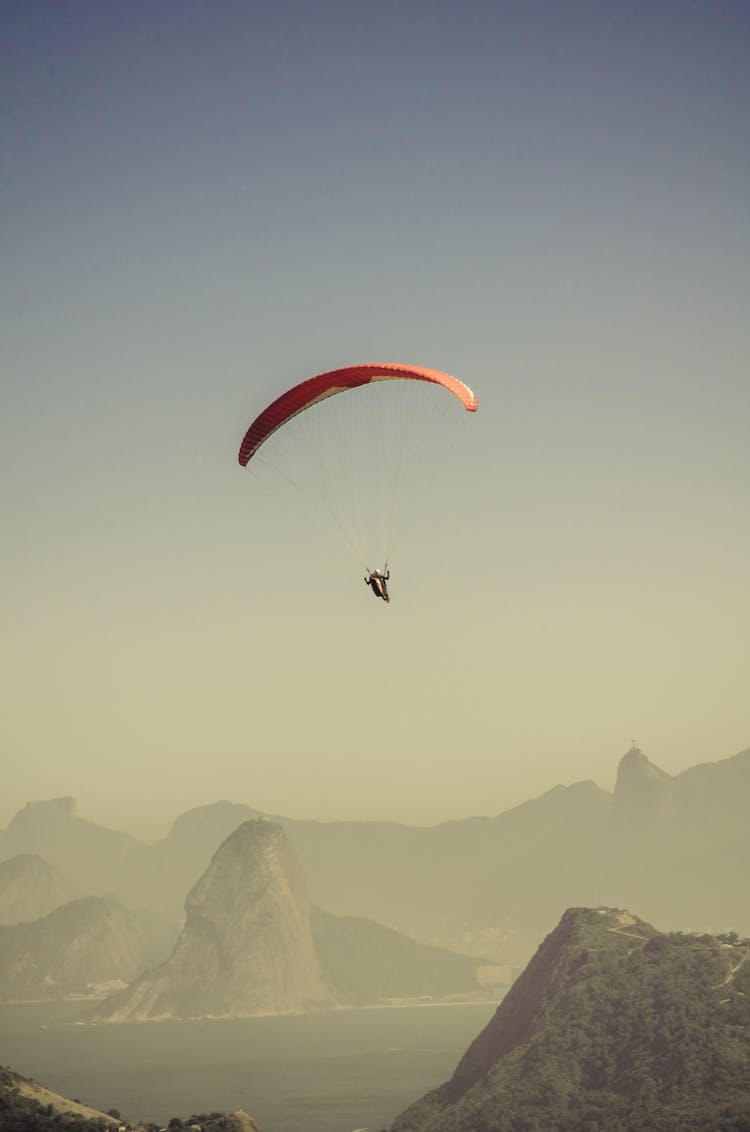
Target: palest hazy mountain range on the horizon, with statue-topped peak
[[675, 847]]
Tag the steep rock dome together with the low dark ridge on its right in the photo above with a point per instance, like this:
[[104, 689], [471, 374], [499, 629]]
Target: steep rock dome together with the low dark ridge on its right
[[252, 947]]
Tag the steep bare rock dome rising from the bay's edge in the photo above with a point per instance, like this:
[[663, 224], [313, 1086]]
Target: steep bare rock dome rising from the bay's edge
[[247, 946]]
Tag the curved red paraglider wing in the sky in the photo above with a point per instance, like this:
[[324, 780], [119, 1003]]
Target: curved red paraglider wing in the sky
[[338, 381]]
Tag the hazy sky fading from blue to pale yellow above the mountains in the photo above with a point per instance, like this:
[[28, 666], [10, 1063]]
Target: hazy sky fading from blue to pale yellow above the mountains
[[204, 203]]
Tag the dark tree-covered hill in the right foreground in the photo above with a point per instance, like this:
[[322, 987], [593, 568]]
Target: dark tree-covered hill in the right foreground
[[613, 1026]]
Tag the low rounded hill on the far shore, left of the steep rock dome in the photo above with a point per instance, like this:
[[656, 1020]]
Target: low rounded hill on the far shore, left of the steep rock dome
[[77, 949]]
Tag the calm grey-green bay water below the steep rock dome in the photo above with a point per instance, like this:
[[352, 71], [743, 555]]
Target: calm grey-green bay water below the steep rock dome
[[330, 1073]]
